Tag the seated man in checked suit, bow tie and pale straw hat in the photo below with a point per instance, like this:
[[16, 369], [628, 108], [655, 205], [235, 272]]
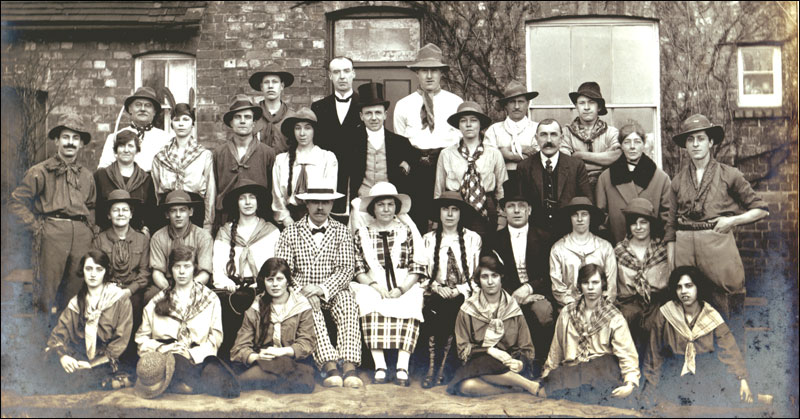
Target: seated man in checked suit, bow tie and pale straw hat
[[321, 256]]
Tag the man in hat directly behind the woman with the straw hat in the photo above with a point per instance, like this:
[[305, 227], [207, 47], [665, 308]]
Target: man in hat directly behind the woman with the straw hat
[[178, 208]]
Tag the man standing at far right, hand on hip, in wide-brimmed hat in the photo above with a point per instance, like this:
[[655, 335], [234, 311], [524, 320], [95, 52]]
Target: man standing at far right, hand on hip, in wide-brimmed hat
[[709, 199]]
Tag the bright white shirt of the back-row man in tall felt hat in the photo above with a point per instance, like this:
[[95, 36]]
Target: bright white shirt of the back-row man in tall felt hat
[[407, 121]]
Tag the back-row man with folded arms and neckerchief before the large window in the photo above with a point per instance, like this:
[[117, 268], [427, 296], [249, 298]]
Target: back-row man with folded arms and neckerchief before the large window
[[589, 138]]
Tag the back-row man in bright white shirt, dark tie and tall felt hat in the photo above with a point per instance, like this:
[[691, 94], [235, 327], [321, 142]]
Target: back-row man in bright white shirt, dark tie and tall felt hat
[[422, 118]]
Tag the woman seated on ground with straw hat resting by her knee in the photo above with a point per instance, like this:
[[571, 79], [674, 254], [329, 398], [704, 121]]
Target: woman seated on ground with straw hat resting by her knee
[[184, 320]]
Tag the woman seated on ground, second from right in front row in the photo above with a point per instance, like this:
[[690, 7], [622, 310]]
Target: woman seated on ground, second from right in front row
[[592, 346]]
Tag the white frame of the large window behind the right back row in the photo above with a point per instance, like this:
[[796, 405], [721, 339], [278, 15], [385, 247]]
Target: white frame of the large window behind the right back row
[[603, 21]]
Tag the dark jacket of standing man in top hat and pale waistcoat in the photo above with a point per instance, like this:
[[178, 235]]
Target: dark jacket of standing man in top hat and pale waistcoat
[[398, 150]]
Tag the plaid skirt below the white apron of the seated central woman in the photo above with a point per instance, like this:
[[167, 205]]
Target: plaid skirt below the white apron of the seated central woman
[[381, 332]]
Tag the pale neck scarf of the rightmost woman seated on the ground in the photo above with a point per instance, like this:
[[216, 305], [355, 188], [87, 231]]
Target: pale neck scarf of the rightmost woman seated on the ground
[[707, 320]]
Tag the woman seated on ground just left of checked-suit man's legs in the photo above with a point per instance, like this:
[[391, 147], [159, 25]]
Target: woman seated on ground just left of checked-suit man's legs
[[277, 337]]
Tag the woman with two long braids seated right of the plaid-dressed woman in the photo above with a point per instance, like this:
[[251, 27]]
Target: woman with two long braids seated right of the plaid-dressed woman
[[450, 253]]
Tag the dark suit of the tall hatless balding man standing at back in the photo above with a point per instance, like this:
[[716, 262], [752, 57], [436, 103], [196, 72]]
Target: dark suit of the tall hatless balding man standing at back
[[337, 138]]
